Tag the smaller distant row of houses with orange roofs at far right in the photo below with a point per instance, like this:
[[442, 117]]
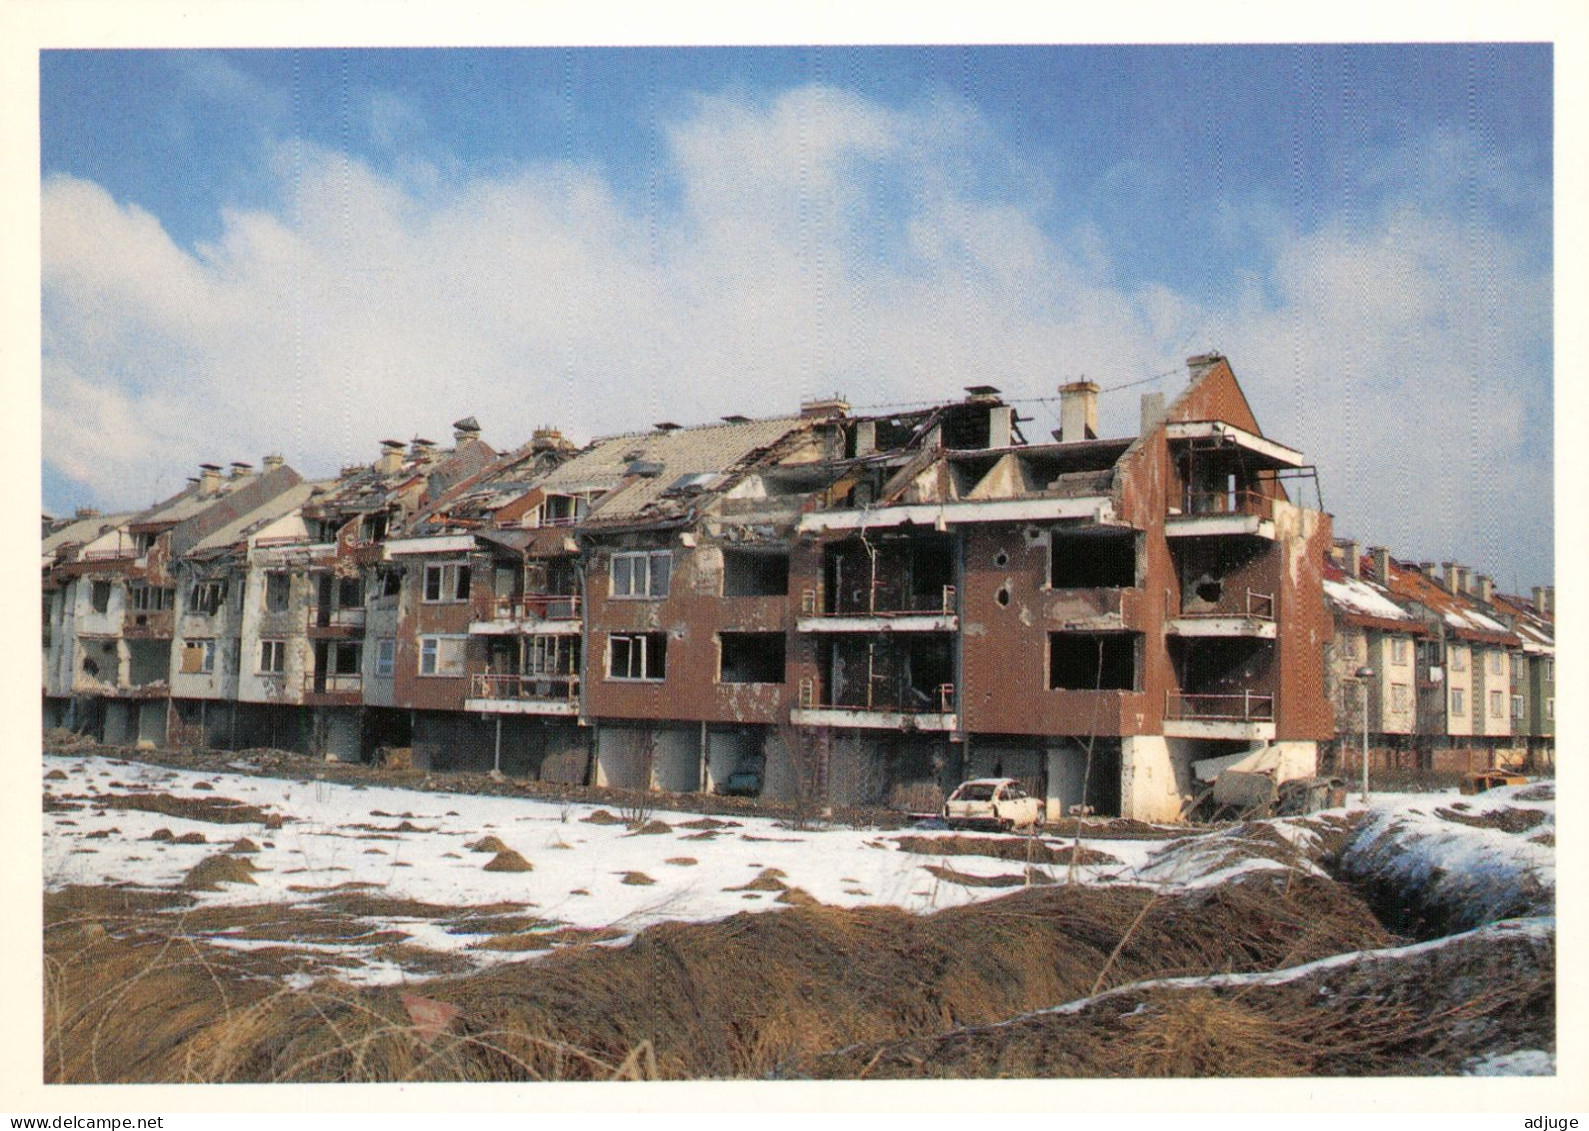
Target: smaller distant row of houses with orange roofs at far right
[[1439, 668]]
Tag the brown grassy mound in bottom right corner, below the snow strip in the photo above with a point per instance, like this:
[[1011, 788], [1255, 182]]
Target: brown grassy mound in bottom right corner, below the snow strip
[[1421, 1011]]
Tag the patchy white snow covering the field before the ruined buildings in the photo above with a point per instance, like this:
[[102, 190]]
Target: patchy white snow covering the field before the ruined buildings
[[414, 846]]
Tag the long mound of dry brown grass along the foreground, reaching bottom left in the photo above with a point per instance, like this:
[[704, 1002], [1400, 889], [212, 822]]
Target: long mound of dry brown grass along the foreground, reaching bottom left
[[733, 998]]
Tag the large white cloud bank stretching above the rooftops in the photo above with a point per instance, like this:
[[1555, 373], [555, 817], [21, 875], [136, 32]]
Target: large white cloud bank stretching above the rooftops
[[806, 245]]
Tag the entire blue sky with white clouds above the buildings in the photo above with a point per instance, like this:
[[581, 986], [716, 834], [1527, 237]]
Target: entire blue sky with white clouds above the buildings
[[306, 252]]
